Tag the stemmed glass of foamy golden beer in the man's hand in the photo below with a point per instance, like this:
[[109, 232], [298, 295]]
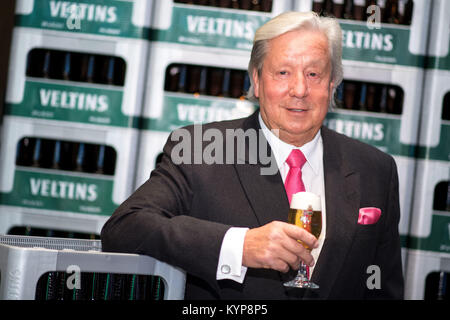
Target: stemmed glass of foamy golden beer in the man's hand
[[305, 212]]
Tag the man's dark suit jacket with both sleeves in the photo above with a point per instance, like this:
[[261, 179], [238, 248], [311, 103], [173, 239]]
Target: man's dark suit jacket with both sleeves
[[180, 216]]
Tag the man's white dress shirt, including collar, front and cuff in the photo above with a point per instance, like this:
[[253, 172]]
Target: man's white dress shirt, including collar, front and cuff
[[230, 258]]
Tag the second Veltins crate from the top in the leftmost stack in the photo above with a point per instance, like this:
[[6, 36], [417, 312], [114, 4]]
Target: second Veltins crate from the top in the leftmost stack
[[79, 81]]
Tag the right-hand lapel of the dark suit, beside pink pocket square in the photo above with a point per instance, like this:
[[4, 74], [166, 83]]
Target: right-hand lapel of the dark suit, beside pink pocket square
[[342, 202]]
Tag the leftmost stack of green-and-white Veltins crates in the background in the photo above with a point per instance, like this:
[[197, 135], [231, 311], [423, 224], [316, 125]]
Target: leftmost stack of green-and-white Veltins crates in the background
[[70, 130]]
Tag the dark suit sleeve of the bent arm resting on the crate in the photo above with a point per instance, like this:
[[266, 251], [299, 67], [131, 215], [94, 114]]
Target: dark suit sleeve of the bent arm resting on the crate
[[156, 221]]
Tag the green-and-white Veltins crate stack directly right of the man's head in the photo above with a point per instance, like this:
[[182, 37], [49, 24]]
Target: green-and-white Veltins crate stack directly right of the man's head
[[379, 101]]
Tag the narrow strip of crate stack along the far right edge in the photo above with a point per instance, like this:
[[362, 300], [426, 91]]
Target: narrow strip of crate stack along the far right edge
[[428, 264]]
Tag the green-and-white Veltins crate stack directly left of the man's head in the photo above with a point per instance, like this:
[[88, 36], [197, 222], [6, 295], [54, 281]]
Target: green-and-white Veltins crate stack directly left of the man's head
[[199, 54]]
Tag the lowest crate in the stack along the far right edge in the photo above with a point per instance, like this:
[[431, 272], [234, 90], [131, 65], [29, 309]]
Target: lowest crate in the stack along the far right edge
[[422, 266]]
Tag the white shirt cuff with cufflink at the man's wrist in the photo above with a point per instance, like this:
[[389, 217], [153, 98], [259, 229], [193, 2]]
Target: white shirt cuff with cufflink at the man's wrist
[[230, 258]]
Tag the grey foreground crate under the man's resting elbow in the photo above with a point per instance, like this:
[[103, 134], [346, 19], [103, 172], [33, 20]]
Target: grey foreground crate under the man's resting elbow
[[35, 268]]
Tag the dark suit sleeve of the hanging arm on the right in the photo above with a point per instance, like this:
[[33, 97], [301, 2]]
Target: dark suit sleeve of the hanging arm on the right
[[388, 256]]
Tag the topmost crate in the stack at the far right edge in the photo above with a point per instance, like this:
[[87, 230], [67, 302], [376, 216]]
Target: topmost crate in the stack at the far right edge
[[439, 39]]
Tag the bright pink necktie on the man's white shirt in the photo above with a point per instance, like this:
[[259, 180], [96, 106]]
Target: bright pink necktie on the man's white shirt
[[293, 182]]
